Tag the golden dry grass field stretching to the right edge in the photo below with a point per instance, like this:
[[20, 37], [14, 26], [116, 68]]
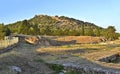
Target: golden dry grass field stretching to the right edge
[[91, 52]]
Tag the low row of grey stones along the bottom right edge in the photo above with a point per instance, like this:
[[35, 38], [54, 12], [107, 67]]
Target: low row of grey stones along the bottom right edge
[[89, 70]]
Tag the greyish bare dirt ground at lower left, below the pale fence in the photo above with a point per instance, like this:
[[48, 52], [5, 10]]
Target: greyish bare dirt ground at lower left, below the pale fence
[[22, 56]]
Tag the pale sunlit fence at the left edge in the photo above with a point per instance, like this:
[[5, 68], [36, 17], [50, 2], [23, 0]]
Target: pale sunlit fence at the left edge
[[8, 42]]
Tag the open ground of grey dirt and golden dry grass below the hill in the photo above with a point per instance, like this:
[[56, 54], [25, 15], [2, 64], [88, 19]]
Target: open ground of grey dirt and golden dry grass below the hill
[[31, 59]]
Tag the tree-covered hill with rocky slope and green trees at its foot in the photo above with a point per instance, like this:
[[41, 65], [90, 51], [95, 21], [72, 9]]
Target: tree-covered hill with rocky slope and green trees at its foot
[[59, 26]]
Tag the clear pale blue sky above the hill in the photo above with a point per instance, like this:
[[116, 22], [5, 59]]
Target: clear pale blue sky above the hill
[[101, 12]]
